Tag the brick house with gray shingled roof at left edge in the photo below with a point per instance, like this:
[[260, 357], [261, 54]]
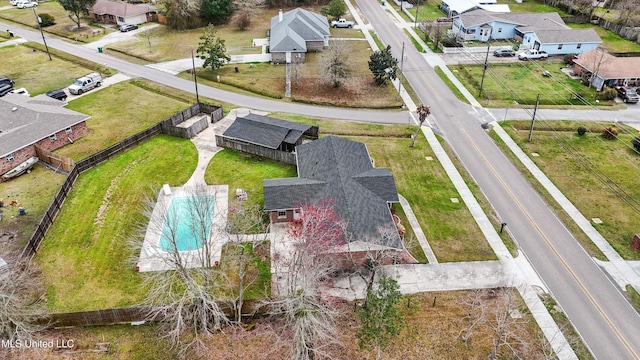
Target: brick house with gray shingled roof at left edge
[[39, 121]]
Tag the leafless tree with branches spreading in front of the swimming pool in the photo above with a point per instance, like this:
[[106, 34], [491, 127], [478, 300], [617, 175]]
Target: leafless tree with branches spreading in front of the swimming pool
[[184, 293]]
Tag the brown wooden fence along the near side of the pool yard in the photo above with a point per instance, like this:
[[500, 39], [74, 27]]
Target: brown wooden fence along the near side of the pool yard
[[129, 315]]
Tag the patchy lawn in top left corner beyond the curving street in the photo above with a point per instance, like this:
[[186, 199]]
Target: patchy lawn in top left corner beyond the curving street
[[63, 27]]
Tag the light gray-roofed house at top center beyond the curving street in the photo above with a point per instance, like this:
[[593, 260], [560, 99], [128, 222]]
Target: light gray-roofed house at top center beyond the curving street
[[296, 32]]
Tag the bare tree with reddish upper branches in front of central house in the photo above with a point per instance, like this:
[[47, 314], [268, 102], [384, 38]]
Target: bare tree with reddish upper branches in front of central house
[[305, 263]]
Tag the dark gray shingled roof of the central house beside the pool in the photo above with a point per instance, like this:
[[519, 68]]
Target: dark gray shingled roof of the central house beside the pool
[[340, 170]]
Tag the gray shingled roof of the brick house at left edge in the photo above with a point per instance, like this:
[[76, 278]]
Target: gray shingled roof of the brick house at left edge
[[34, 119]]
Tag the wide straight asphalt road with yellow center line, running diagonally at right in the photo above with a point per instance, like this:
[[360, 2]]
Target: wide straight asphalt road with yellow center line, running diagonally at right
[[601, 314]]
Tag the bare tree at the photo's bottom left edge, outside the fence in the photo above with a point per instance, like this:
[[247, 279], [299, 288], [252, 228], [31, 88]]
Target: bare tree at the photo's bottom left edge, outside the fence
[[20, 296]]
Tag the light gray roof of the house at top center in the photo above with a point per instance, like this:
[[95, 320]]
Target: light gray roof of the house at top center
[[296, 28]]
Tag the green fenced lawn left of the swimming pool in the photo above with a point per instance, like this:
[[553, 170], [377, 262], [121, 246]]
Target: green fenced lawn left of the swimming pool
[[85, 258]]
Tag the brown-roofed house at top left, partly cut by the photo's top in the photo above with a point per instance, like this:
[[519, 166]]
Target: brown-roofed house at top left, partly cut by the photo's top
[[121, 12]]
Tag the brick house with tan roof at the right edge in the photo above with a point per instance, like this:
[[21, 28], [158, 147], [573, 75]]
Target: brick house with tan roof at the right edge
[[603, 69]]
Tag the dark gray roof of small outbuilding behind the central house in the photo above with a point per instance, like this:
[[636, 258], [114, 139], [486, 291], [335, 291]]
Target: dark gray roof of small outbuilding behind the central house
[[266, 131]]
